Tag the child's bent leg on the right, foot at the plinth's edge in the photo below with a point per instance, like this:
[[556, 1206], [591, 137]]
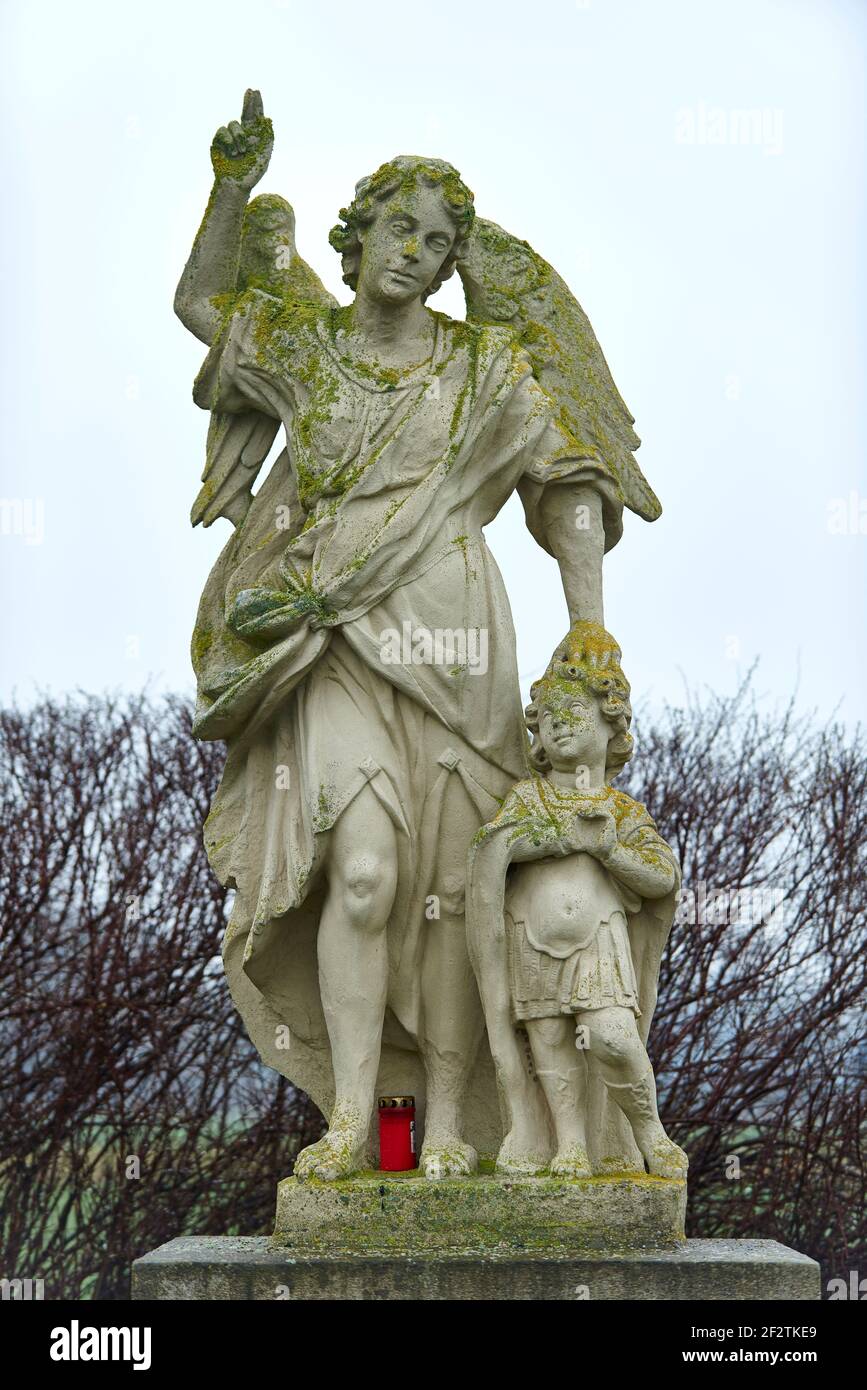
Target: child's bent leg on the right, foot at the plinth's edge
[[626, 1070]]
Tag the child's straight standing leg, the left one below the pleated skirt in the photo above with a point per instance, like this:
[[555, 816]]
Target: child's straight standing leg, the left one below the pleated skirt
[[562, 1072]]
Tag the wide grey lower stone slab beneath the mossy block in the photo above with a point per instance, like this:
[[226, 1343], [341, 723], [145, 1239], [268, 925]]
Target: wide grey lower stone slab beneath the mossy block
[[251, 1268]]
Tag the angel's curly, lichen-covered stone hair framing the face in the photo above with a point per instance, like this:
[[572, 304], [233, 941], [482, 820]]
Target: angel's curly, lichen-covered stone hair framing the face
[[404, 172]]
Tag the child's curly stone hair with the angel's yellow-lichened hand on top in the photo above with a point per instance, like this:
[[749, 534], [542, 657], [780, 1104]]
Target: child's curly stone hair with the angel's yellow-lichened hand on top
[[591, 660]]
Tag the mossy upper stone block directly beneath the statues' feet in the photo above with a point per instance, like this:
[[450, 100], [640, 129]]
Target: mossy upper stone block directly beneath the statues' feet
[[409, 1214]]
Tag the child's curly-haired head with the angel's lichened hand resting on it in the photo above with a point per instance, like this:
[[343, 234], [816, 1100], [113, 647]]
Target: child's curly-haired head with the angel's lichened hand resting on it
[[581, 707]]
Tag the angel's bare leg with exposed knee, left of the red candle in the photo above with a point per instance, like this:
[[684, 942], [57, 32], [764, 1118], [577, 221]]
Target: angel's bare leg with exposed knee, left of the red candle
[[354, 975]]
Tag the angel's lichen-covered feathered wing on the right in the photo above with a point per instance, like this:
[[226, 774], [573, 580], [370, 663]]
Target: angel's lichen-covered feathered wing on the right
[[508, 283]]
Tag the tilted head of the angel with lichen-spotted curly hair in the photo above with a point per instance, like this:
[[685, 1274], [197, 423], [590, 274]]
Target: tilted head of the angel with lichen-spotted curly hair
[[405, 230]]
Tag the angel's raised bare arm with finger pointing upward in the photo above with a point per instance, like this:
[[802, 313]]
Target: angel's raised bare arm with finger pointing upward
[[240, 156]]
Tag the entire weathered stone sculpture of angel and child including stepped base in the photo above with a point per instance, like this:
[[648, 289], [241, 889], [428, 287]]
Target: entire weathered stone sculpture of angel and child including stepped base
[[427, 904]]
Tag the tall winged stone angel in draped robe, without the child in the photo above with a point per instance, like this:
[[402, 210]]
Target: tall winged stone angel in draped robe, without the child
[[356, 780]]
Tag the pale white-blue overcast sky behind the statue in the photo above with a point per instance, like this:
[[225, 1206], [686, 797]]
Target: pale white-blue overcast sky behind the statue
[[726, 283]]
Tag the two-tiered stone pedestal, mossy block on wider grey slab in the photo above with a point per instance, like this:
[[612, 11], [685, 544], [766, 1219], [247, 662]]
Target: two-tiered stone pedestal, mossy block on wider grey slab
[[401, 1238]]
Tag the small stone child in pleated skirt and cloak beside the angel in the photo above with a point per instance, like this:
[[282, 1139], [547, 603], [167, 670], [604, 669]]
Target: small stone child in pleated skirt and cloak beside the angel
[[572, 899]]
